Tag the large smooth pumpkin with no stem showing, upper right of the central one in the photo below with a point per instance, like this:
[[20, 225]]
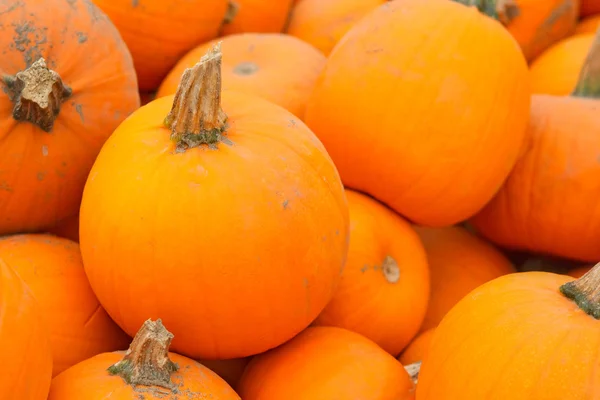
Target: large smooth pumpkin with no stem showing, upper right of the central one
[[474, 122]]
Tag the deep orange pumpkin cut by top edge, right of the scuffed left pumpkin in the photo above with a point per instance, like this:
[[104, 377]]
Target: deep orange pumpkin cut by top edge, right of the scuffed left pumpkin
[[159, 32]]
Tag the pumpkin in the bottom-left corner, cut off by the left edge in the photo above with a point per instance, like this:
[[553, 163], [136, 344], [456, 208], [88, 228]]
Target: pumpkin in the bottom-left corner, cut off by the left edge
[[26, 357]]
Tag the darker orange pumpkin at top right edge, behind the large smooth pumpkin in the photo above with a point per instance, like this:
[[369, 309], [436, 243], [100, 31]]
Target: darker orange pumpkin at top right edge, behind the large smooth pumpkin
[[535, 24]]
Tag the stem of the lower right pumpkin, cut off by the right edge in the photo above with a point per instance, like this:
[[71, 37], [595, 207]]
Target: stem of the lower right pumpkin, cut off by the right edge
[[585, 292]]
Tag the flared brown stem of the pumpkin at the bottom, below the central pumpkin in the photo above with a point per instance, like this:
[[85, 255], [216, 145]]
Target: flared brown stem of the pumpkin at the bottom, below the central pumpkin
[[147, 360]]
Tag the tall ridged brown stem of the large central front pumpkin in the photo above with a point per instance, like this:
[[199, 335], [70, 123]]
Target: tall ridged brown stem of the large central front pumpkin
[[196, 117]]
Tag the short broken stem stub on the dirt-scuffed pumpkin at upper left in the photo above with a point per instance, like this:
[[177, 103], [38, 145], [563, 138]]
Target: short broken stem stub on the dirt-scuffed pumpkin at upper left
[[37, 94]]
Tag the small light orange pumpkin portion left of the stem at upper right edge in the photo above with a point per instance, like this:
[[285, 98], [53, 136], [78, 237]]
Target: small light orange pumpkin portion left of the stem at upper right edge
[[557, 70]]
